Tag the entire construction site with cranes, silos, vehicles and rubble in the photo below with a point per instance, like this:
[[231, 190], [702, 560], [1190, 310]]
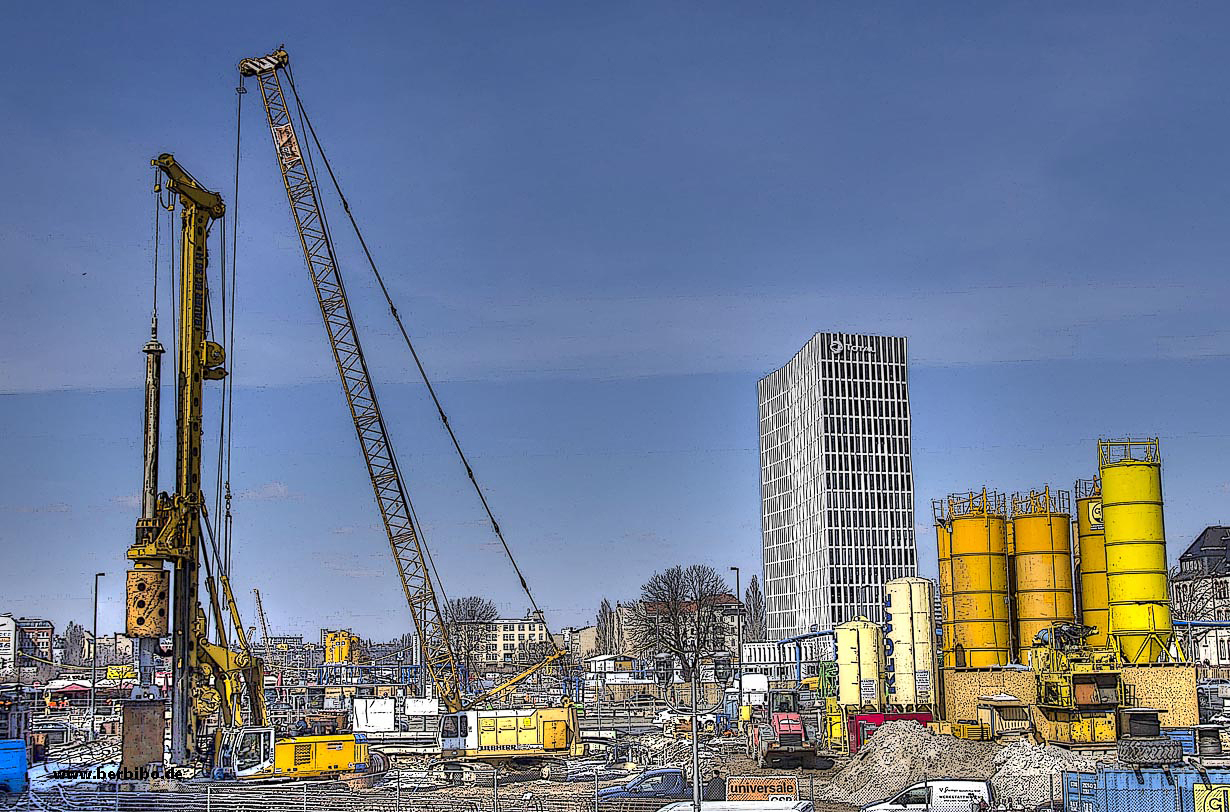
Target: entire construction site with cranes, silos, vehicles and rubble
[[1046, 665]]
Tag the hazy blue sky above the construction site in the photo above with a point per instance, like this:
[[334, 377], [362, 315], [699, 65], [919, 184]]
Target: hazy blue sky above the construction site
[[603, 223]]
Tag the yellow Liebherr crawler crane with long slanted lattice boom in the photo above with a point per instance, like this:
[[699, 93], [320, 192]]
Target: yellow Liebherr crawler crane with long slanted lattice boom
[[466, 734]]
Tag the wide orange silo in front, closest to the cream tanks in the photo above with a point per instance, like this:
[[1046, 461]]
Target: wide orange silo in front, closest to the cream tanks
[[980, 580]]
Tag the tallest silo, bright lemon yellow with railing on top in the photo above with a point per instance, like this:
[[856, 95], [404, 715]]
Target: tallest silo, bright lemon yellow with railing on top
[[1136, 549]]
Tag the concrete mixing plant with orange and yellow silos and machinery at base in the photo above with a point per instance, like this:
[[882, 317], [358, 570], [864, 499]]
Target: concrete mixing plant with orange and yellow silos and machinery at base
[[1017, 655]]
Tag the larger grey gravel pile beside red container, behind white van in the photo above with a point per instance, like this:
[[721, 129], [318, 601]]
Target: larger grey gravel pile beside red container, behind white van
[[902, 754]]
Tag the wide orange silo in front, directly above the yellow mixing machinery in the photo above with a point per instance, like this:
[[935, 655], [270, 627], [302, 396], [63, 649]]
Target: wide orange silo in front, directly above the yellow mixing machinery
[[1042, 563]]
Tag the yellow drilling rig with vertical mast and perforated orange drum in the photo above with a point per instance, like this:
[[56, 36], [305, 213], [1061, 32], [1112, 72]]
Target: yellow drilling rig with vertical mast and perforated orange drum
[[211, 681]]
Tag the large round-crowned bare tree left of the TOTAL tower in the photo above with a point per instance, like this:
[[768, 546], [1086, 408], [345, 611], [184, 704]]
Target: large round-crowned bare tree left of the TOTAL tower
[[680, 613]]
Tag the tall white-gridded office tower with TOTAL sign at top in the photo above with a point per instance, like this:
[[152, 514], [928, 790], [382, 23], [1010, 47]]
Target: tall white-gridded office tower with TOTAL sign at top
[[837, 485]]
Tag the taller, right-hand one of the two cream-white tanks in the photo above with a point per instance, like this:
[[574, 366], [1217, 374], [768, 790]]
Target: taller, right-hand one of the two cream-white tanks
[[910, 642]]
